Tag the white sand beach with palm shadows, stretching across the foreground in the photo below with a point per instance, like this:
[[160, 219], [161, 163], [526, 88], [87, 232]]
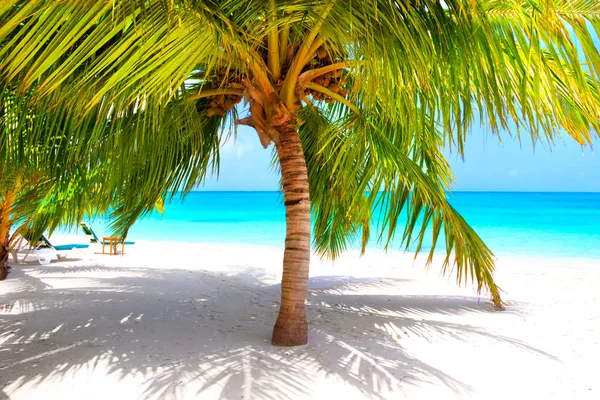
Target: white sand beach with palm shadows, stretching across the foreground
[[193, 321]]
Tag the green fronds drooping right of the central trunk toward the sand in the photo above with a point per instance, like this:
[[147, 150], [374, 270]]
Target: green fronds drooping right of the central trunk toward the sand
[[362, 174]]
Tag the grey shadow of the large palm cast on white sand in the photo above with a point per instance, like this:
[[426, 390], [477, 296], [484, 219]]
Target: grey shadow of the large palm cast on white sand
[[165, 330]]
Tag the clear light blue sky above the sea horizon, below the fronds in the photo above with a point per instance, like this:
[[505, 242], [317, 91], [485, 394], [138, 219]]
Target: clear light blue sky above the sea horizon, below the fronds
[[488, 165]]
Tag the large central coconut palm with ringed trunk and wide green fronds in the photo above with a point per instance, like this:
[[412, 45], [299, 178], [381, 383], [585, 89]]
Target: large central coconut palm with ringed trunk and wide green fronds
[[358, 98]]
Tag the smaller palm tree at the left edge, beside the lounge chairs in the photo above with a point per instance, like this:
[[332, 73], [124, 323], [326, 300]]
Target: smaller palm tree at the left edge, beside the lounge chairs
[[33, 197]]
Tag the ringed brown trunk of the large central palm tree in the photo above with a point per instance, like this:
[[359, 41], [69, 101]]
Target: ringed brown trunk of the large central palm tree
[[291, 328]]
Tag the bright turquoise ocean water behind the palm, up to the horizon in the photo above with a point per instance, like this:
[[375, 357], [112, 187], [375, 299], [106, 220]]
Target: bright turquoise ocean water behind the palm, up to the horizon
[[534, 224]]
